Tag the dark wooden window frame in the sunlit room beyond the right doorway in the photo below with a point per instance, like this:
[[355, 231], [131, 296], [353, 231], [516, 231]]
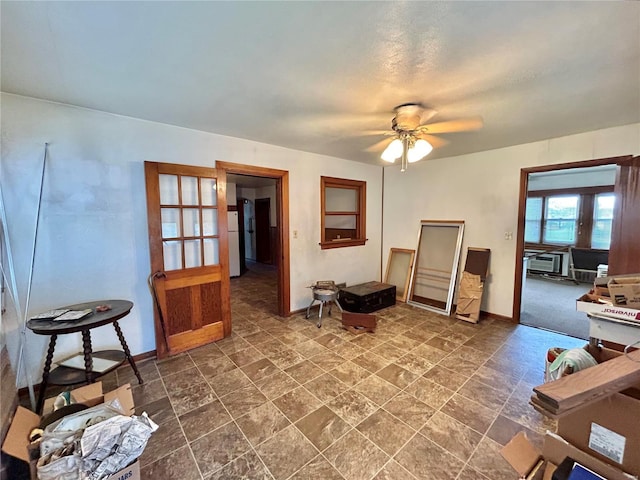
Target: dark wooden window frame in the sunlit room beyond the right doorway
[[585, 214]]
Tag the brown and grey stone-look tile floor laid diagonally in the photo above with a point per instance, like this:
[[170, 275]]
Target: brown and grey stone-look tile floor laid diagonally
[[425, 397]]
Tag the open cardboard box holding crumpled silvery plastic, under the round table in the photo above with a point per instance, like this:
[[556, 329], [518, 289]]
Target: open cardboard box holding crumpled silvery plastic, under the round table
[[16, 443]]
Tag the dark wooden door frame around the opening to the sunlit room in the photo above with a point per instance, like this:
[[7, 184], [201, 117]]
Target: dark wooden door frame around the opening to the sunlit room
[[522, 203]]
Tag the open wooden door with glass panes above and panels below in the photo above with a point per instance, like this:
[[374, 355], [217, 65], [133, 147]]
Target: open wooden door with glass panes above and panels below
[[186, 209]]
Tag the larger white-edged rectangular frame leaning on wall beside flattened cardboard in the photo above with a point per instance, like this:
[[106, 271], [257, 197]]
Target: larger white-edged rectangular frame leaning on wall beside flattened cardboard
[[435, 268]]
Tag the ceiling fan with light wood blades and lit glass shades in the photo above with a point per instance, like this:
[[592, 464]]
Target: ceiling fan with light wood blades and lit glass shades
[[410, 140]]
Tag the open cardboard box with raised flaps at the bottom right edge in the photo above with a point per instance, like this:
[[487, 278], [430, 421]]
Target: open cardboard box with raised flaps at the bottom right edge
[[528, 462]]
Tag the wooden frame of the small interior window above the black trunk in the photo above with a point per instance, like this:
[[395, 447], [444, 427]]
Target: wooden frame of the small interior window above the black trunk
[[360, 188]]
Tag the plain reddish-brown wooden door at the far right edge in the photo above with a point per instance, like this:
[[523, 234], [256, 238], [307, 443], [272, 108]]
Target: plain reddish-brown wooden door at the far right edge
[[624, 253]]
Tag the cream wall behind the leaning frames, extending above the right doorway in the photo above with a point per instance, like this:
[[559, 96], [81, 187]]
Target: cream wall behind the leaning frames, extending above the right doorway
[[483, 190]]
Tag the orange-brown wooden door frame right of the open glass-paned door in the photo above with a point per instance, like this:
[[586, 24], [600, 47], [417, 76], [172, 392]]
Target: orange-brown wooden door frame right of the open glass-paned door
[[282, 219]]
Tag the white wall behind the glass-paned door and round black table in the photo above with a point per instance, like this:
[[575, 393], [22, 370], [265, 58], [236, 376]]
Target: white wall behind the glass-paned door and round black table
[[93, 241]]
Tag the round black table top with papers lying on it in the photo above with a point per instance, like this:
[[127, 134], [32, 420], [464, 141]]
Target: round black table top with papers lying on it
[[119, 309]]
